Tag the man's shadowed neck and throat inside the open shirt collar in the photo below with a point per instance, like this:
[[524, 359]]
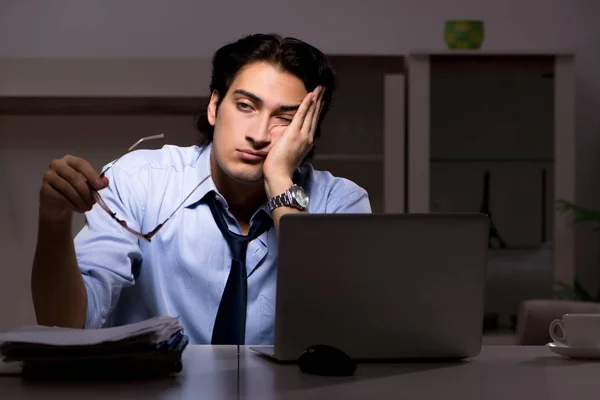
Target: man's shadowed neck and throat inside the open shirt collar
[[243, 199]]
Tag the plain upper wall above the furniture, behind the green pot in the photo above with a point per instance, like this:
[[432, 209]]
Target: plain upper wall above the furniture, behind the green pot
[[184, 28]]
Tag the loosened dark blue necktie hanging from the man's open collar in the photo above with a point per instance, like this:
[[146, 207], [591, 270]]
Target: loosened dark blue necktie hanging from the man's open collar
[[230, 324]]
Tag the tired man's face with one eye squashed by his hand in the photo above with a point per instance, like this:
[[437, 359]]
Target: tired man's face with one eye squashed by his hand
[[255, 112]]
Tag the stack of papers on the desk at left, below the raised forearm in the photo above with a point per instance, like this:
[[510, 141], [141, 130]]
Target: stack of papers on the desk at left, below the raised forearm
[[148, 348]]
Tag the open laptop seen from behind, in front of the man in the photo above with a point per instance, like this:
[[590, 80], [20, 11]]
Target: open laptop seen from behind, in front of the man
[[381, 286]]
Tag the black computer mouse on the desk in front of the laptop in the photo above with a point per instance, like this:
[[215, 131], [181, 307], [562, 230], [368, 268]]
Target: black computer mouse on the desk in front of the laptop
[[325, 360]]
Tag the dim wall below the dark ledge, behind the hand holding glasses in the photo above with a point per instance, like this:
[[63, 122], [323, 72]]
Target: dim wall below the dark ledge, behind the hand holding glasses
[[25, 152]]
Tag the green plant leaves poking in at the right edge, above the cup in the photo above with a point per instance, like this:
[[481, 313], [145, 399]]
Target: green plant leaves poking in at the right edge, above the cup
[[579, 215]]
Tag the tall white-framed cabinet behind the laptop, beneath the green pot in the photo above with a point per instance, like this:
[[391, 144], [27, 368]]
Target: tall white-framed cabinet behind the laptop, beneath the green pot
[[511, 116]]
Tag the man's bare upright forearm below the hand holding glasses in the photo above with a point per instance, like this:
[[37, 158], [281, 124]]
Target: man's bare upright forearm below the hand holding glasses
[[58, 291]]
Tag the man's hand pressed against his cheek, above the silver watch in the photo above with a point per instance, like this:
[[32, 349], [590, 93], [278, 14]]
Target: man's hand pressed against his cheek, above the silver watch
[[295, 143]]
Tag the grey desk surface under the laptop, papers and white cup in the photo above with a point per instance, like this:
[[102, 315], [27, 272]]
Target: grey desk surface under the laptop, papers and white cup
[[499, 372]]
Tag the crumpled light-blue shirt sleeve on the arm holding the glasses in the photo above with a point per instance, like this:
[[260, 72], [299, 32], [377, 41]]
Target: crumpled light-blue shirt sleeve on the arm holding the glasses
[[105, 251]]
